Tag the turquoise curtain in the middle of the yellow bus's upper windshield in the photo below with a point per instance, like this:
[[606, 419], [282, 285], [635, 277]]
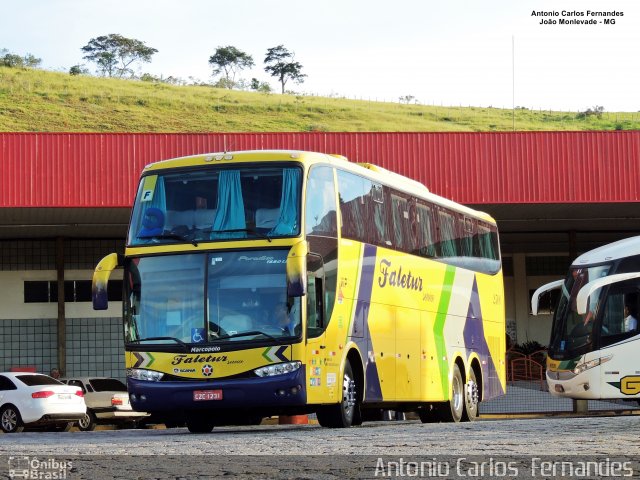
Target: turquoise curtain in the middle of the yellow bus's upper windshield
[[230, 213]]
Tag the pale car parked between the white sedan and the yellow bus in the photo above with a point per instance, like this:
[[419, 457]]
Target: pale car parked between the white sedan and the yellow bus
[[107, 402]]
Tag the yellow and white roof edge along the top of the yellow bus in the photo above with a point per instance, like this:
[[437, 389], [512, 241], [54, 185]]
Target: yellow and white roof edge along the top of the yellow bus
[[373, 172]]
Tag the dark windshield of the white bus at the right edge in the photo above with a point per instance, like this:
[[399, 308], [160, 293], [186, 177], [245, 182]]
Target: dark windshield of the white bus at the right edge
[[572, 334]]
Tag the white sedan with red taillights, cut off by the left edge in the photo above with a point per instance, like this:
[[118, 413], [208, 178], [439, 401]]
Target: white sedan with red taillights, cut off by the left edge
[[33, 399]]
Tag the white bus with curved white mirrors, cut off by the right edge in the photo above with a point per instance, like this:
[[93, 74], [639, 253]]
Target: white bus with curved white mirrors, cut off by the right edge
[[594, 350]]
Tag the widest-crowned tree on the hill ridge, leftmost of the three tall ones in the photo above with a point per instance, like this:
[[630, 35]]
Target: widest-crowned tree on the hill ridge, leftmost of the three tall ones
[[114, 54]]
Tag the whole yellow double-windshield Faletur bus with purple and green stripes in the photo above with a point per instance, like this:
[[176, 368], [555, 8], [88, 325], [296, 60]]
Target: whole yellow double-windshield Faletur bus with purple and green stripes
[[265, 283]]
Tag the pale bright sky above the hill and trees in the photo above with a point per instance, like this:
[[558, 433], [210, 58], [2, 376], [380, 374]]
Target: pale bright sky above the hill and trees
[[441, 52]]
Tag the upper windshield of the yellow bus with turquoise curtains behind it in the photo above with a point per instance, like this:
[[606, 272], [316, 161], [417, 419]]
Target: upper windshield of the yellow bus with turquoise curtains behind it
[[216, 203]]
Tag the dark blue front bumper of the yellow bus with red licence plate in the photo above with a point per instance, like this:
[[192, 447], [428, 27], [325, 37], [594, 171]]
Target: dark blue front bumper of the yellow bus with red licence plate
[[286, 390]]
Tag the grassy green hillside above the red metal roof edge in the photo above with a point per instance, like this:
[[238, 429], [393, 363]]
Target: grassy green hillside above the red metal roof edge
[[43, 101]]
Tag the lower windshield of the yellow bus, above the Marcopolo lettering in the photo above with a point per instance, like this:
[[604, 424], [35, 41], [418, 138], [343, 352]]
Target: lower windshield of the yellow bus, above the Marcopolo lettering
[[209, 298]]
